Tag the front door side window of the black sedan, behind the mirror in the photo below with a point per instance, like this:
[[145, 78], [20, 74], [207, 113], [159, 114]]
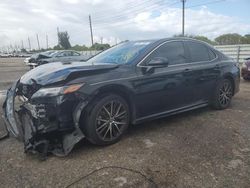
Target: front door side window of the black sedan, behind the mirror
[[173, 51]]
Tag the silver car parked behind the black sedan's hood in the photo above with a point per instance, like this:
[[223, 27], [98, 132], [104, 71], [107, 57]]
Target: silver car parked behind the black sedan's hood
[[62, 56]]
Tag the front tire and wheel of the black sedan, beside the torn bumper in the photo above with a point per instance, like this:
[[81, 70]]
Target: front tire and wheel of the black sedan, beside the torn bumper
[[106, 120]]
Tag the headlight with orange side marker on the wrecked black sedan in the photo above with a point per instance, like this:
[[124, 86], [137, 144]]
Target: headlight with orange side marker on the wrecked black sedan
[[55, 91]]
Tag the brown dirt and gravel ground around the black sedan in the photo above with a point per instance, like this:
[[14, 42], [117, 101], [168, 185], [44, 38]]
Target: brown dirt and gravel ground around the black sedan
[[202, 148]]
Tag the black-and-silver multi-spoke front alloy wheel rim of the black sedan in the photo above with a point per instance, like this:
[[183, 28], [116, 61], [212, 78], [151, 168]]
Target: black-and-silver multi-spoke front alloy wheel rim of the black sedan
[[111, 120]]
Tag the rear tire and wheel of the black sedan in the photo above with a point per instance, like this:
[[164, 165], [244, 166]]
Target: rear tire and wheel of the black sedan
[[223, 94]]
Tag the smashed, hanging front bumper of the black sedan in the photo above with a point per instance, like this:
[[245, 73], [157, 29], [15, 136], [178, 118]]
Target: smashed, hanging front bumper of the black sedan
[[44, 127]]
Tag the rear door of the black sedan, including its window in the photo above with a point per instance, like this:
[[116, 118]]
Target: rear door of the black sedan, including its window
[[204, 70]]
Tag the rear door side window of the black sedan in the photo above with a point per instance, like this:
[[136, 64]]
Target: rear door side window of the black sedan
[[198, 52]]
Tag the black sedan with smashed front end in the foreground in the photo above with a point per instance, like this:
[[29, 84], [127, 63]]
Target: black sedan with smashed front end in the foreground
[[54, 106]]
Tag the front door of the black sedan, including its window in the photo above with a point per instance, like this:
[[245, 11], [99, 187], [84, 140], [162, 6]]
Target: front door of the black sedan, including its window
[[162, 89]]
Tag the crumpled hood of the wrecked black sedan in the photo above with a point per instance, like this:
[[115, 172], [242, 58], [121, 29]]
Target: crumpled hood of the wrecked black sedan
[[56, 72]]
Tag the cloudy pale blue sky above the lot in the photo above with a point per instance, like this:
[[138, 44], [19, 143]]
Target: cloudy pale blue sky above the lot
[[117, 20]]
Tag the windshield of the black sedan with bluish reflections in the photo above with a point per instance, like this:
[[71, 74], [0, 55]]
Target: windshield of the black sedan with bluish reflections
[[121, 54]]
